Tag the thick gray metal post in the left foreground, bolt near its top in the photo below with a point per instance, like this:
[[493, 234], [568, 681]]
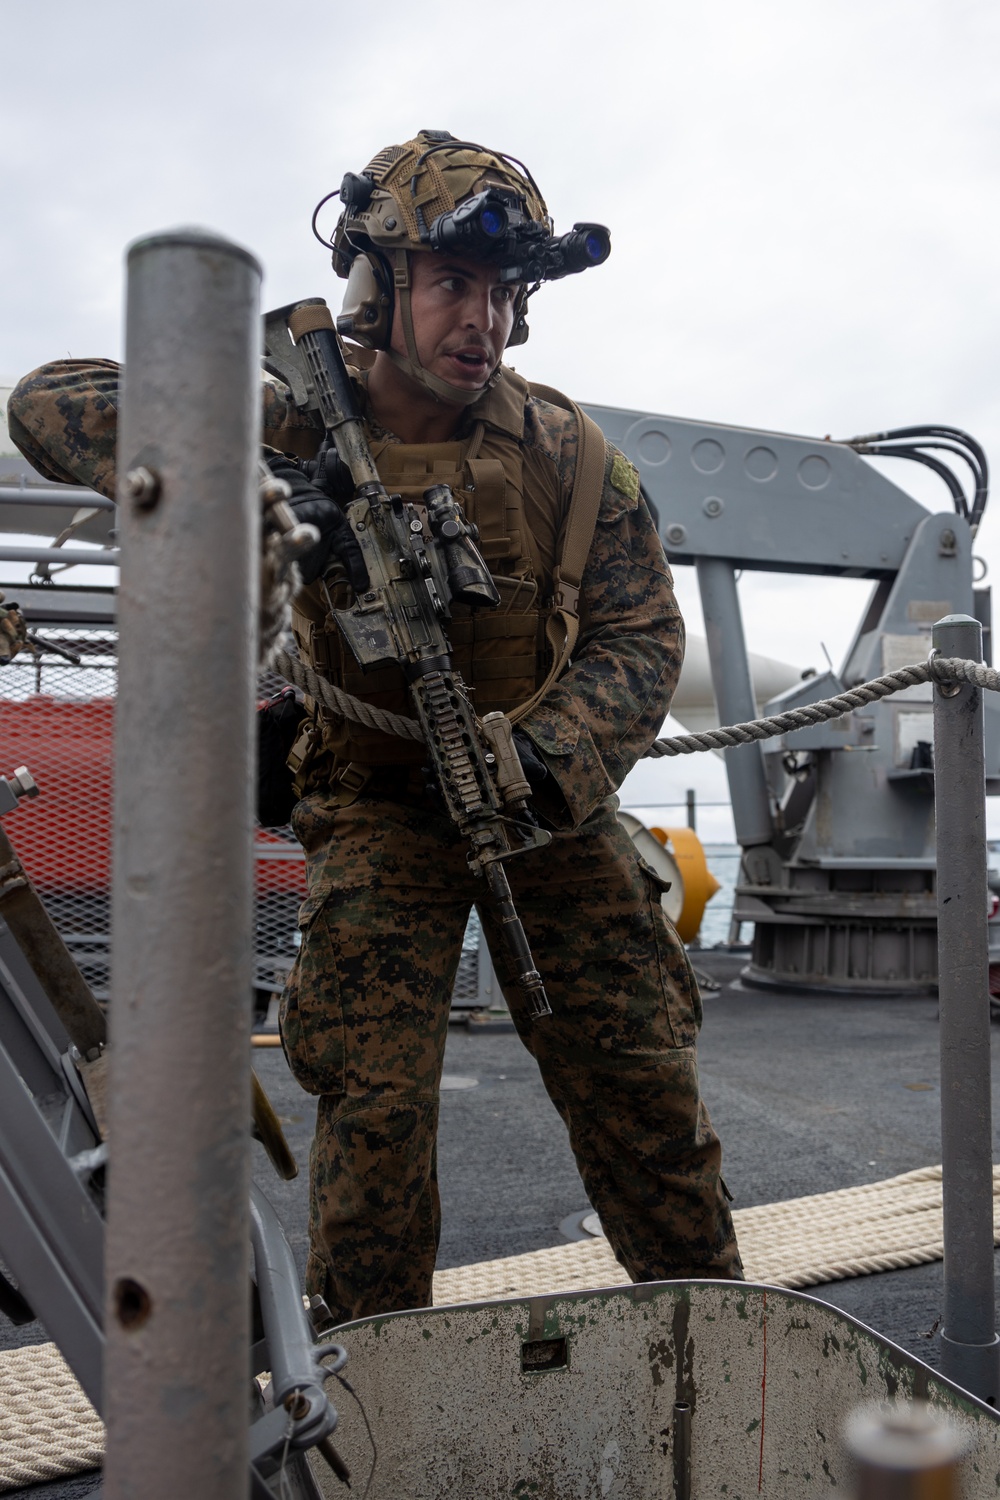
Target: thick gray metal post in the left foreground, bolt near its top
[[178, 1262]]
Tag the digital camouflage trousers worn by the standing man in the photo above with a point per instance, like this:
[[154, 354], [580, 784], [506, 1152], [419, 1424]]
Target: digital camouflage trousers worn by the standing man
[[365, 1021]]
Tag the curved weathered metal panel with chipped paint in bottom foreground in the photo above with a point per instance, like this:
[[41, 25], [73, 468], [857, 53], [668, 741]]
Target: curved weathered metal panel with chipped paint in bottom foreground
[[464, 1403]]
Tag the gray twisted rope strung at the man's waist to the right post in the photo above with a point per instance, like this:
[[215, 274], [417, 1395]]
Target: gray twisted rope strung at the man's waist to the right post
[[939, 670]]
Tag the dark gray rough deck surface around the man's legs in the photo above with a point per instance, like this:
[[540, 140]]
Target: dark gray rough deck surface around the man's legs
[[810, 1094]]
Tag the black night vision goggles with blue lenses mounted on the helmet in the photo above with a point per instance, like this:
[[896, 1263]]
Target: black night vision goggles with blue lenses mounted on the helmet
[[494, 227]]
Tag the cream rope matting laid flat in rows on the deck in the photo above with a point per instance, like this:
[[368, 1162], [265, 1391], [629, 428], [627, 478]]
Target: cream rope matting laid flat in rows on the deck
[[49, 1429]]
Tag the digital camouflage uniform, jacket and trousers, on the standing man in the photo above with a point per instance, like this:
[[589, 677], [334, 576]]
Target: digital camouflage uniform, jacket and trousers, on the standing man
[[367, 1009]]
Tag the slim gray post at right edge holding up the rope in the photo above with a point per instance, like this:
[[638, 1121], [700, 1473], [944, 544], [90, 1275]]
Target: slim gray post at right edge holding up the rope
[[969, 1342]]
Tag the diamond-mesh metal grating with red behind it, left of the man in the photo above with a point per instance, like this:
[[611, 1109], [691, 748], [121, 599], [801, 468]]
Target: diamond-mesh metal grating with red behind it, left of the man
[[59, 721]]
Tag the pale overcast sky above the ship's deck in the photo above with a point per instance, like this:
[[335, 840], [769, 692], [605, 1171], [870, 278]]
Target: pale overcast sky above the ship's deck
[[803, 200]]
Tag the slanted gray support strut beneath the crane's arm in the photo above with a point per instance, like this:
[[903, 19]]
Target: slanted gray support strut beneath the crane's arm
[[735, 698]]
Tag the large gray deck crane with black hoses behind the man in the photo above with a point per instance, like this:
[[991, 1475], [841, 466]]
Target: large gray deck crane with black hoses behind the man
[[837, 821]]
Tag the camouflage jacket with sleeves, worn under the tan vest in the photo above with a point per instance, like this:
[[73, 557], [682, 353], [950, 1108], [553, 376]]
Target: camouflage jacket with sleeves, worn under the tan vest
[[606, 709]]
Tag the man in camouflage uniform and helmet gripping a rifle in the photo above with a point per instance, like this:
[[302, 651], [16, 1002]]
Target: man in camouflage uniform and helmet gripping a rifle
[[584, 655]]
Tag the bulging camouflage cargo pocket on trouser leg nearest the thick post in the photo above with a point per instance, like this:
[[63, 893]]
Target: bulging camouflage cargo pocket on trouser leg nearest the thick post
[[313, 1010]]
